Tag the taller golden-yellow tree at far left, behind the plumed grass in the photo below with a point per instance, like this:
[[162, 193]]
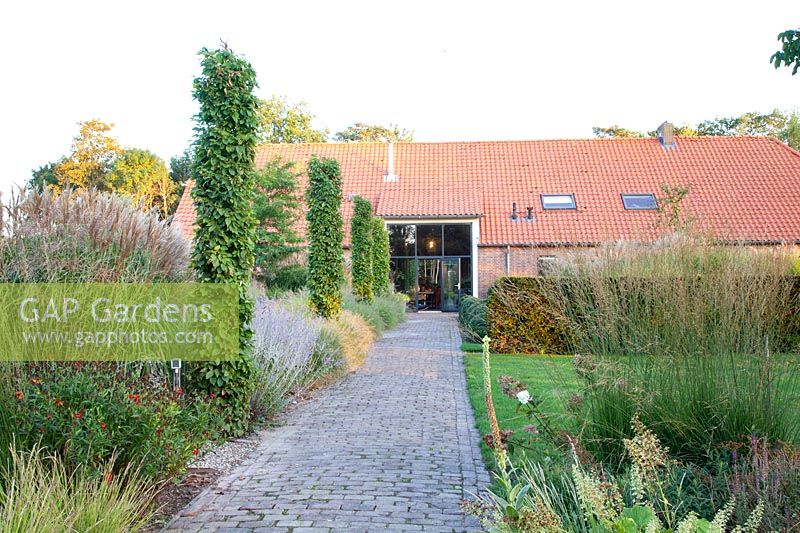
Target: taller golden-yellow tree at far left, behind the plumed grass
[[92, 155]]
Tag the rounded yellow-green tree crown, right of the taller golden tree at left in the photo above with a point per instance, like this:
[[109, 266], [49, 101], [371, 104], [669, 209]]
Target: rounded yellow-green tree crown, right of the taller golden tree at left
[[143, 176]]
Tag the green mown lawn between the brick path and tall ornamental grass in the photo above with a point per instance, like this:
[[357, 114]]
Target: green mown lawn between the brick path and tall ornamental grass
[[549, 378]]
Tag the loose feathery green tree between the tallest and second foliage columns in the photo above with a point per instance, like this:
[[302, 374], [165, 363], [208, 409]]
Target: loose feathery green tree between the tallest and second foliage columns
[[276, 211]]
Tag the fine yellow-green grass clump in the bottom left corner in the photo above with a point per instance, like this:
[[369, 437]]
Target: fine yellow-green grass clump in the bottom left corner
[[39, 493]]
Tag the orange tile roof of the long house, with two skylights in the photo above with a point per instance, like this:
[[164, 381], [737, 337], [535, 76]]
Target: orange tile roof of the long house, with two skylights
[[741, 188]]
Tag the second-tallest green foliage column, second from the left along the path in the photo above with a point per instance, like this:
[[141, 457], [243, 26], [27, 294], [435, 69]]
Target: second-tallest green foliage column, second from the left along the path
[[325, 234]]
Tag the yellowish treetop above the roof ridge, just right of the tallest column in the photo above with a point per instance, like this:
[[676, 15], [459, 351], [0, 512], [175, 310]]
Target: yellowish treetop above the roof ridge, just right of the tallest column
[[282, 122]]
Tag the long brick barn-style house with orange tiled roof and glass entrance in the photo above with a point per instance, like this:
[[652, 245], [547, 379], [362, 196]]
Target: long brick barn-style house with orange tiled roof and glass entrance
[[461, 214]]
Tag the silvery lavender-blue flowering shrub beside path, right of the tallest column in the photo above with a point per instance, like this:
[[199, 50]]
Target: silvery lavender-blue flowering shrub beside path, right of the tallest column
[[283, 353]]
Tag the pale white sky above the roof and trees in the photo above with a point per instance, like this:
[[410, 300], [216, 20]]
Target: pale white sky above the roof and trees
[[449, 71]]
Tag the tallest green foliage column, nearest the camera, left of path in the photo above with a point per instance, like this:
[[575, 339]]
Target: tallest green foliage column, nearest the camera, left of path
[[225, 142]]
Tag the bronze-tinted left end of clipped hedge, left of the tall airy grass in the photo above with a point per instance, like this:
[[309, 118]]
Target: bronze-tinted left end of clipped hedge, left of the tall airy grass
[[521, 319]]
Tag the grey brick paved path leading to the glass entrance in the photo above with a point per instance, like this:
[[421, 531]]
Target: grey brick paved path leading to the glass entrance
[[391, 448]]
